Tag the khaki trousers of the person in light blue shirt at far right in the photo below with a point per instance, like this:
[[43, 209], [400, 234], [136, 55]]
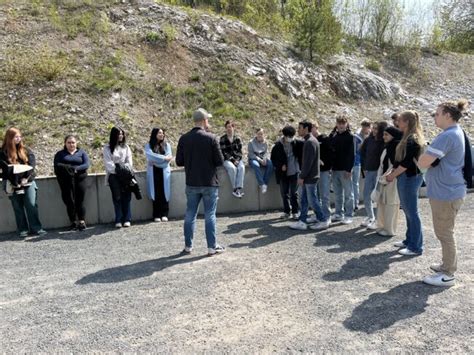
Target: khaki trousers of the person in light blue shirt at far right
[[444, 215]]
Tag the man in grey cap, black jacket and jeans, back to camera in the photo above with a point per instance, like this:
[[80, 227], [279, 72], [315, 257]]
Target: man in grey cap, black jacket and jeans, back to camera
[[198, 151]]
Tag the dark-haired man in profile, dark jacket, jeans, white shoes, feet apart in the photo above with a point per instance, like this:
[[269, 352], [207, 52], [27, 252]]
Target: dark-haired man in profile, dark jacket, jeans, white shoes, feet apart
[[307, 180]]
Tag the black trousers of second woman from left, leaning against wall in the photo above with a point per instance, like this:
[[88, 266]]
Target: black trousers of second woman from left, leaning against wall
[[73, 189]]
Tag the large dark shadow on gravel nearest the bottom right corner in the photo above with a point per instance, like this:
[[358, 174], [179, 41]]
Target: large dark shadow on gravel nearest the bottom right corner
[[384, 309]]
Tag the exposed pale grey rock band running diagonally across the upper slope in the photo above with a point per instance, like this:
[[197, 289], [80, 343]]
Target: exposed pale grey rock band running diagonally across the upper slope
[[236, 43]]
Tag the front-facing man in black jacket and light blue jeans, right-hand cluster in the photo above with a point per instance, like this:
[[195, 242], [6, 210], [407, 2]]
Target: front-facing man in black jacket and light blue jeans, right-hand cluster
[[342, 143]]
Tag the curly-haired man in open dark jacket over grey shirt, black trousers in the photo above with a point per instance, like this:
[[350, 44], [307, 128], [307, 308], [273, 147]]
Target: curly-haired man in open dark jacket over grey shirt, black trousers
[[286, 160]]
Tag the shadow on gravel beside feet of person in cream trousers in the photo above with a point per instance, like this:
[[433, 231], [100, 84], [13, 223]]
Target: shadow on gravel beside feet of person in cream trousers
[[352, 240]]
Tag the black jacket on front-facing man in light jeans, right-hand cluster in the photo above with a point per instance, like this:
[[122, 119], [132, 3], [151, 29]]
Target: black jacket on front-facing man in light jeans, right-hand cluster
[[343, 151]]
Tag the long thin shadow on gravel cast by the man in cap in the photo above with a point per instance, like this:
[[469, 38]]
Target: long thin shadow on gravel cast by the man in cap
[[137, 270]]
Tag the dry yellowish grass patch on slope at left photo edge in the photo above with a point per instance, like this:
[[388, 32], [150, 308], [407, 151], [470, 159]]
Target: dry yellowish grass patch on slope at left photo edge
[[26, 65]]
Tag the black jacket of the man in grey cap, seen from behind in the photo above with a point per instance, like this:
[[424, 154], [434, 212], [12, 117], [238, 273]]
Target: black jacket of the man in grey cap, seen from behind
[[199, 152]]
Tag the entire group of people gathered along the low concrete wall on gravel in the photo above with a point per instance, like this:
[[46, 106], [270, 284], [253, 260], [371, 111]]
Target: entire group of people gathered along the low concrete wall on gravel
[[391, 158]]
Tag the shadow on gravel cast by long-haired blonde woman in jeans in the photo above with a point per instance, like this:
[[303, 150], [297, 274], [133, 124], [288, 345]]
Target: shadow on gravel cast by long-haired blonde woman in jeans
[[367, 265]]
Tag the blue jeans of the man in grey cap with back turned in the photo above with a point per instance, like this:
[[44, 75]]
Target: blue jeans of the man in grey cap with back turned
[[194, 194]]
